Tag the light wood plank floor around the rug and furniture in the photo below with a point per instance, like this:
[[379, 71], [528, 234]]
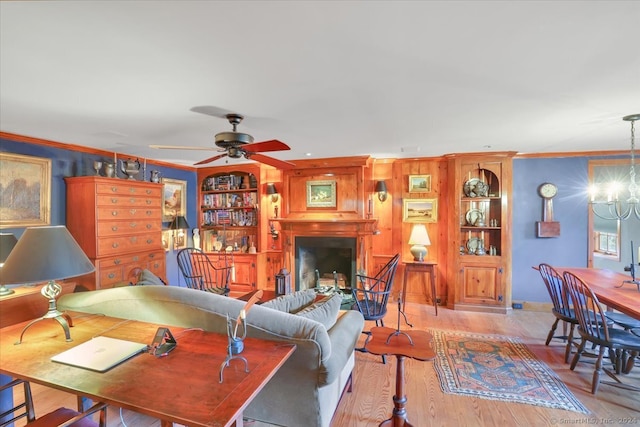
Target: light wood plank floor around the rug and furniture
[[374, 383]]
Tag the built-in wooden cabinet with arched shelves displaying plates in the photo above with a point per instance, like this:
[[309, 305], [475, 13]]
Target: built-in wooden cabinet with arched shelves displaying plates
[[479, 235]]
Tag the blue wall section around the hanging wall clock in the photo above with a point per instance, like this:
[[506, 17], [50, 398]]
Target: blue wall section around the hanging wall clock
[[570, 208]]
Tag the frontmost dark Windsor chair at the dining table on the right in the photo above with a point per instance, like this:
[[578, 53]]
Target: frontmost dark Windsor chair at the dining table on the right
[[623, 346]]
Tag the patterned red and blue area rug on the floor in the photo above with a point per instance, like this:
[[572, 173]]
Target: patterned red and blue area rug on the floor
[[498, 368]]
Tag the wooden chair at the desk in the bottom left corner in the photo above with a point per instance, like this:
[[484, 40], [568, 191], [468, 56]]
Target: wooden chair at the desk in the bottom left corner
[[61, 417]]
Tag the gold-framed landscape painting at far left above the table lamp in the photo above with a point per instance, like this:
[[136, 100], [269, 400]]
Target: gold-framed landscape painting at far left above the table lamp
[[25, 190]]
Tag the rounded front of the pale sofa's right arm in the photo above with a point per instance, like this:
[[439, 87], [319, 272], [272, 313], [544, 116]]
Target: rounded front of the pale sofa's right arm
[[344, 336]]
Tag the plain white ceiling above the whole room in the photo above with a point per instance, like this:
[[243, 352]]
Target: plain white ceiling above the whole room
[[329, 78]]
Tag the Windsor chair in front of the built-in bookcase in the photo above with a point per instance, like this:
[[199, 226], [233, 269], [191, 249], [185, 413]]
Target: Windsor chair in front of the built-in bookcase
[[199, 272]]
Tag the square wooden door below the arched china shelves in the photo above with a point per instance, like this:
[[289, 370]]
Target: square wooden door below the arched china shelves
[[482, 284]]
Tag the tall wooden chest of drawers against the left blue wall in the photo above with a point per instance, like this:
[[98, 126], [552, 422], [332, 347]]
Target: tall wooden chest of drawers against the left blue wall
[[118, 224]]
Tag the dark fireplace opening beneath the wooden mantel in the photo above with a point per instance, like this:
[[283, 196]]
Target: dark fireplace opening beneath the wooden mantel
[[325, 262]]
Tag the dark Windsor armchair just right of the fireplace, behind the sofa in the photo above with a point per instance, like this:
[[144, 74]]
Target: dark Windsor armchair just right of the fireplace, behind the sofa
[[371, 295]]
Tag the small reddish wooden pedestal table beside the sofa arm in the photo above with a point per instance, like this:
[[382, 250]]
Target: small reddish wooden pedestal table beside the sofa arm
[[402, 344]]
